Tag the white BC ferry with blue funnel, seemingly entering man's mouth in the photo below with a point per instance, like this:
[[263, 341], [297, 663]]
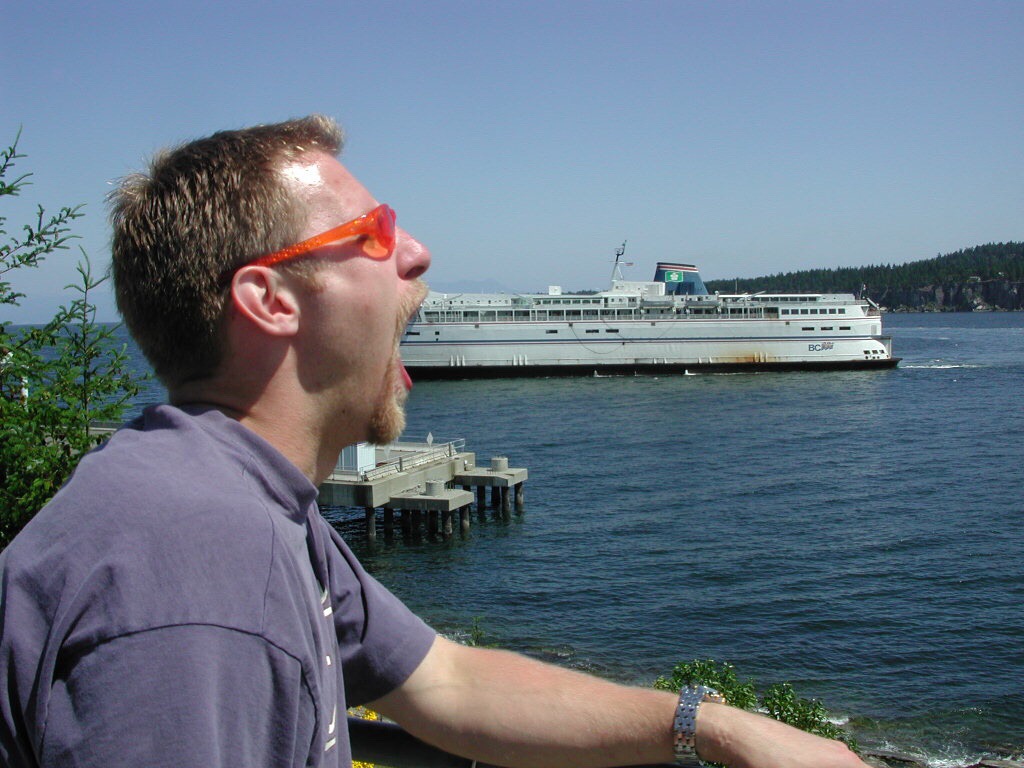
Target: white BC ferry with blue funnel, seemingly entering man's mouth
[[670, 324]]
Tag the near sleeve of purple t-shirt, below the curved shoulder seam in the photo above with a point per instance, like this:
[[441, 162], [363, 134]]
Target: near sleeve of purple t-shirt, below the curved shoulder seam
[[188, 696]]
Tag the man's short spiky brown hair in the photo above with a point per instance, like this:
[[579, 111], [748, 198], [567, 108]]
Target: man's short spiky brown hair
[[203, 208]]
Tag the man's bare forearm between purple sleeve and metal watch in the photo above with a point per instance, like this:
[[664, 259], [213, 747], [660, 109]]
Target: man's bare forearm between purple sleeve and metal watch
[[505, 709]]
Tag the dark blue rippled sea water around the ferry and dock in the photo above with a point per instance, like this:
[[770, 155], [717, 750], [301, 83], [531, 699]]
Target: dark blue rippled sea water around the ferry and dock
[[858, 534]]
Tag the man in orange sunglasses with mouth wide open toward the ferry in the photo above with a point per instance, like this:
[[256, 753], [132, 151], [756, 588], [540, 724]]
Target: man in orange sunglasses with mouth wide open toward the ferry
[[182, 603]]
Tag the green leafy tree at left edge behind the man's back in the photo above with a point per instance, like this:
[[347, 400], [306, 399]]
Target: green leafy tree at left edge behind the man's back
[[56, 379]]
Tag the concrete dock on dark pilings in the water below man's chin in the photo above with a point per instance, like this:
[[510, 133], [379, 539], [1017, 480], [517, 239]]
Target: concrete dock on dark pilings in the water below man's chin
[[415, 478]]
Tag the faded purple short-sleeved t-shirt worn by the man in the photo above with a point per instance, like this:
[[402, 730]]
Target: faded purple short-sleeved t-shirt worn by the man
[[182, 603]]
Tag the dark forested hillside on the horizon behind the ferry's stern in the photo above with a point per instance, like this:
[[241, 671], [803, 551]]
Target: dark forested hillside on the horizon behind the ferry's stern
[[990, 277]]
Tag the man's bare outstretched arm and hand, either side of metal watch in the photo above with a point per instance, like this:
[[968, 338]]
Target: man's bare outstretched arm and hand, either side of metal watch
[[507, 710]]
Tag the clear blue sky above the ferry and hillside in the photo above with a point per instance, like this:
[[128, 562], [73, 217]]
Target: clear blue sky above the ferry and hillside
[[524, 142]]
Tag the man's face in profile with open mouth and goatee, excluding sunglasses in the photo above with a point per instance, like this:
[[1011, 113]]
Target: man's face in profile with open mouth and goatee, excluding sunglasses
[[355, 314]]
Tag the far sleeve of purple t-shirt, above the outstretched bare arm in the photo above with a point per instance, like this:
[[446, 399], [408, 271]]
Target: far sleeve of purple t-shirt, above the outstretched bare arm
[[381, 642]]
